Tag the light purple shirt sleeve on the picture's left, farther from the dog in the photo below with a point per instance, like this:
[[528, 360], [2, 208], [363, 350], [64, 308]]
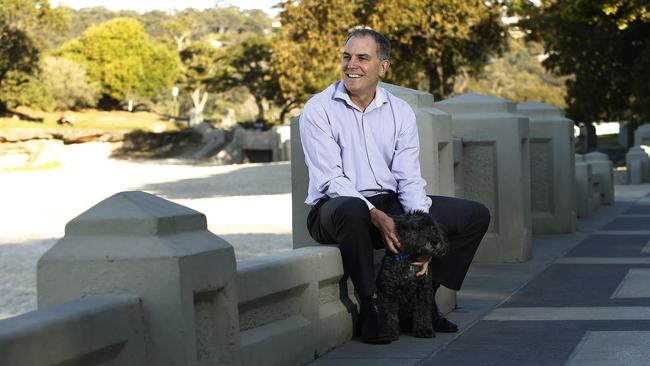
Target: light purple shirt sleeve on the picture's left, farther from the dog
[[323, 155]]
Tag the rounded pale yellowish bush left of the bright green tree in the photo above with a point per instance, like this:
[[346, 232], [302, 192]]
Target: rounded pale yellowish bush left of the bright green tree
[[67, 82]]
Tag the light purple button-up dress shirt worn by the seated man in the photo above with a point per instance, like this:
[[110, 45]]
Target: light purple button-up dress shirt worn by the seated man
[[357, 153]]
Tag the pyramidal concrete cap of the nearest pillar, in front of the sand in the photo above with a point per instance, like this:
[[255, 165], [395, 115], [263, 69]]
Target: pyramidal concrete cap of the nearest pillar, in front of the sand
[[136, 213]]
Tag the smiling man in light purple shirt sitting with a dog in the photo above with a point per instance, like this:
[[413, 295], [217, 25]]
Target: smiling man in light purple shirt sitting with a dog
[[362, 150]]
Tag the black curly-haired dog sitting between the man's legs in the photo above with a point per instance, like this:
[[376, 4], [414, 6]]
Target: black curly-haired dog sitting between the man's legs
[[407, 299]]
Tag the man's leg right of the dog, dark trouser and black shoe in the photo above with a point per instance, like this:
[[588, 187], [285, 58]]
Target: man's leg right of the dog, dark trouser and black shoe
[[465, 223]]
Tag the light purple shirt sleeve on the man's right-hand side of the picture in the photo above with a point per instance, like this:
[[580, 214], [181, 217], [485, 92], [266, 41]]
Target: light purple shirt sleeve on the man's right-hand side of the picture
[[406, 166]]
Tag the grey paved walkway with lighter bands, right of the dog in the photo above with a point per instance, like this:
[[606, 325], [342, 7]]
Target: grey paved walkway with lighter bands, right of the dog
[[583, 299]]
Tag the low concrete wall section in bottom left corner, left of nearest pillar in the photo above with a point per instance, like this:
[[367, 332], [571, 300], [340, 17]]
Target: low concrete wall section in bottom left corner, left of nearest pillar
[[91, 331]]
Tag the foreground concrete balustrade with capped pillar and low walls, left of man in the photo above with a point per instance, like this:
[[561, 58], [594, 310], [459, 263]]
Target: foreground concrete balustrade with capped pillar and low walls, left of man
[[157, 288]]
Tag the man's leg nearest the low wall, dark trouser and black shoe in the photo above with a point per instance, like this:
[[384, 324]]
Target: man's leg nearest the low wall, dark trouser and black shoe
[[346, 221]]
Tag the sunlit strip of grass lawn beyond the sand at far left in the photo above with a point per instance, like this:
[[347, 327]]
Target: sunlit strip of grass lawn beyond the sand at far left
[[92, 120]]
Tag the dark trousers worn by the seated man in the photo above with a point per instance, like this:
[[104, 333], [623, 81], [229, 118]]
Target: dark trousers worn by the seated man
[[346, 221]]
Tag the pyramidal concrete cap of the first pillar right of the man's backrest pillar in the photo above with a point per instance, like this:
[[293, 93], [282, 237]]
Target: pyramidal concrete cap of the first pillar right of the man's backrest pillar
[[476, 103]]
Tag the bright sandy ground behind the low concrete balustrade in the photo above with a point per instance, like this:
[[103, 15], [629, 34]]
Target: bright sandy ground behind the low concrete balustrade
[[249, 205]]
